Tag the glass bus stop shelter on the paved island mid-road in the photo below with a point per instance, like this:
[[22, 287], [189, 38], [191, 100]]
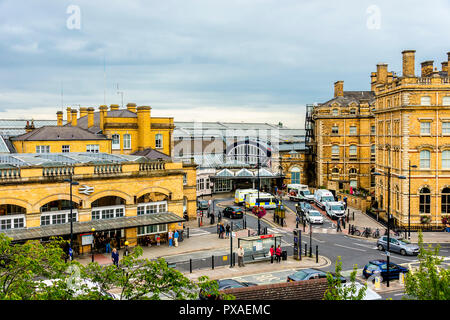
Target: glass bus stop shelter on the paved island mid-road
[[257, 248]]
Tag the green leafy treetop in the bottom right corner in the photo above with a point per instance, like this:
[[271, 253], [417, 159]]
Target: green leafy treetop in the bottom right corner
[[429, 281]]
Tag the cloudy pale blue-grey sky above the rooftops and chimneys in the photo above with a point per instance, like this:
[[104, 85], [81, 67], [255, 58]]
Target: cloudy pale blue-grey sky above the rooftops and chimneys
[[209, 60]]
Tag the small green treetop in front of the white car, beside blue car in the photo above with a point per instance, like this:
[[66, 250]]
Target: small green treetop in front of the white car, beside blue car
[[338, 291]]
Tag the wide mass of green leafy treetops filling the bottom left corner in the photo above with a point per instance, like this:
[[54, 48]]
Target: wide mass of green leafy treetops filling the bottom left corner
[[37, 271]]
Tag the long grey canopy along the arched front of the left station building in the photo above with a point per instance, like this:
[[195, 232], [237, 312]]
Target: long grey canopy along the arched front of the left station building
[[99, 225]]
